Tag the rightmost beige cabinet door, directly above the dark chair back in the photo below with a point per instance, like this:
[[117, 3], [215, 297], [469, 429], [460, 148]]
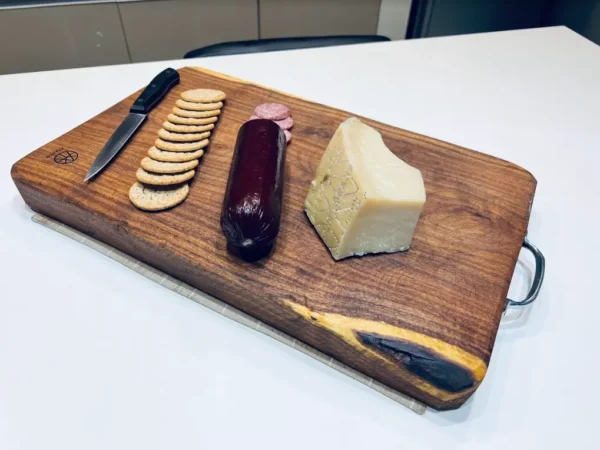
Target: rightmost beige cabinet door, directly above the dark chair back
[[288, 18]]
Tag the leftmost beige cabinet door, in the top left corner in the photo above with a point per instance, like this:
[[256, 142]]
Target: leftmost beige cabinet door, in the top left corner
[[58, 37]]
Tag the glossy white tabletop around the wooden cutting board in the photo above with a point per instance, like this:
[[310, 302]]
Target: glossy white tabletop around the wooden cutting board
[[94, 356]]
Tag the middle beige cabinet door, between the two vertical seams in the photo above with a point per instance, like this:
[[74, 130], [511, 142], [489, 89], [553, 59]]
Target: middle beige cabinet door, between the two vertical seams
[[168, 29]]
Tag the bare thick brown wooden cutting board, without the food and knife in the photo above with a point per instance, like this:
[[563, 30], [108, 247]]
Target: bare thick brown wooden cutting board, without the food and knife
[[422, 322]]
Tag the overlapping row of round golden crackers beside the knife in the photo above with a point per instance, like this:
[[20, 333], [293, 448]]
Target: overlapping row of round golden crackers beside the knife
[[165, 174]]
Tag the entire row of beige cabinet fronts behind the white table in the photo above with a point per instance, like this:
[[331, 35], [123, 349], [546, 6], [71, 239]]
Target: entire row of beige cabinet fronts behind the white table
[[78, 34]]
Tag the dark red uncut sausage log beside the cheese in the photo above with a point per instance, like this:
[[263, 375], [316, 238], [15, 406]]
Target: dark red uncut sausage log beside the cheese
[[252, 204]]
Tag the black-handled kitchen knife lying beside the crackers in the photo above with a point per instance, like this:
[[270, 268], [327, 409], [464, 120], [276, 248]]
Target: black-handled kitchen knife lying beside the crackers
[[154, 92]]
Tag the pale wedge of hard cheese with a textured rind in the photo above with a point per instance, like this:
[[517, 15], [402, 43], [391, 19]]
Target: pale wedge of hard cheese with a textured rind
[[364, 199]]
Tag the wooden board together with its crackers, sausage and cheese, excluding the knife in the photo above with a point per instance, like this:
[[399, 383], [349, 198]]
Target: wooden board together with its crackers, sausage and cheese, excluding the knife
[[386, 250]]
